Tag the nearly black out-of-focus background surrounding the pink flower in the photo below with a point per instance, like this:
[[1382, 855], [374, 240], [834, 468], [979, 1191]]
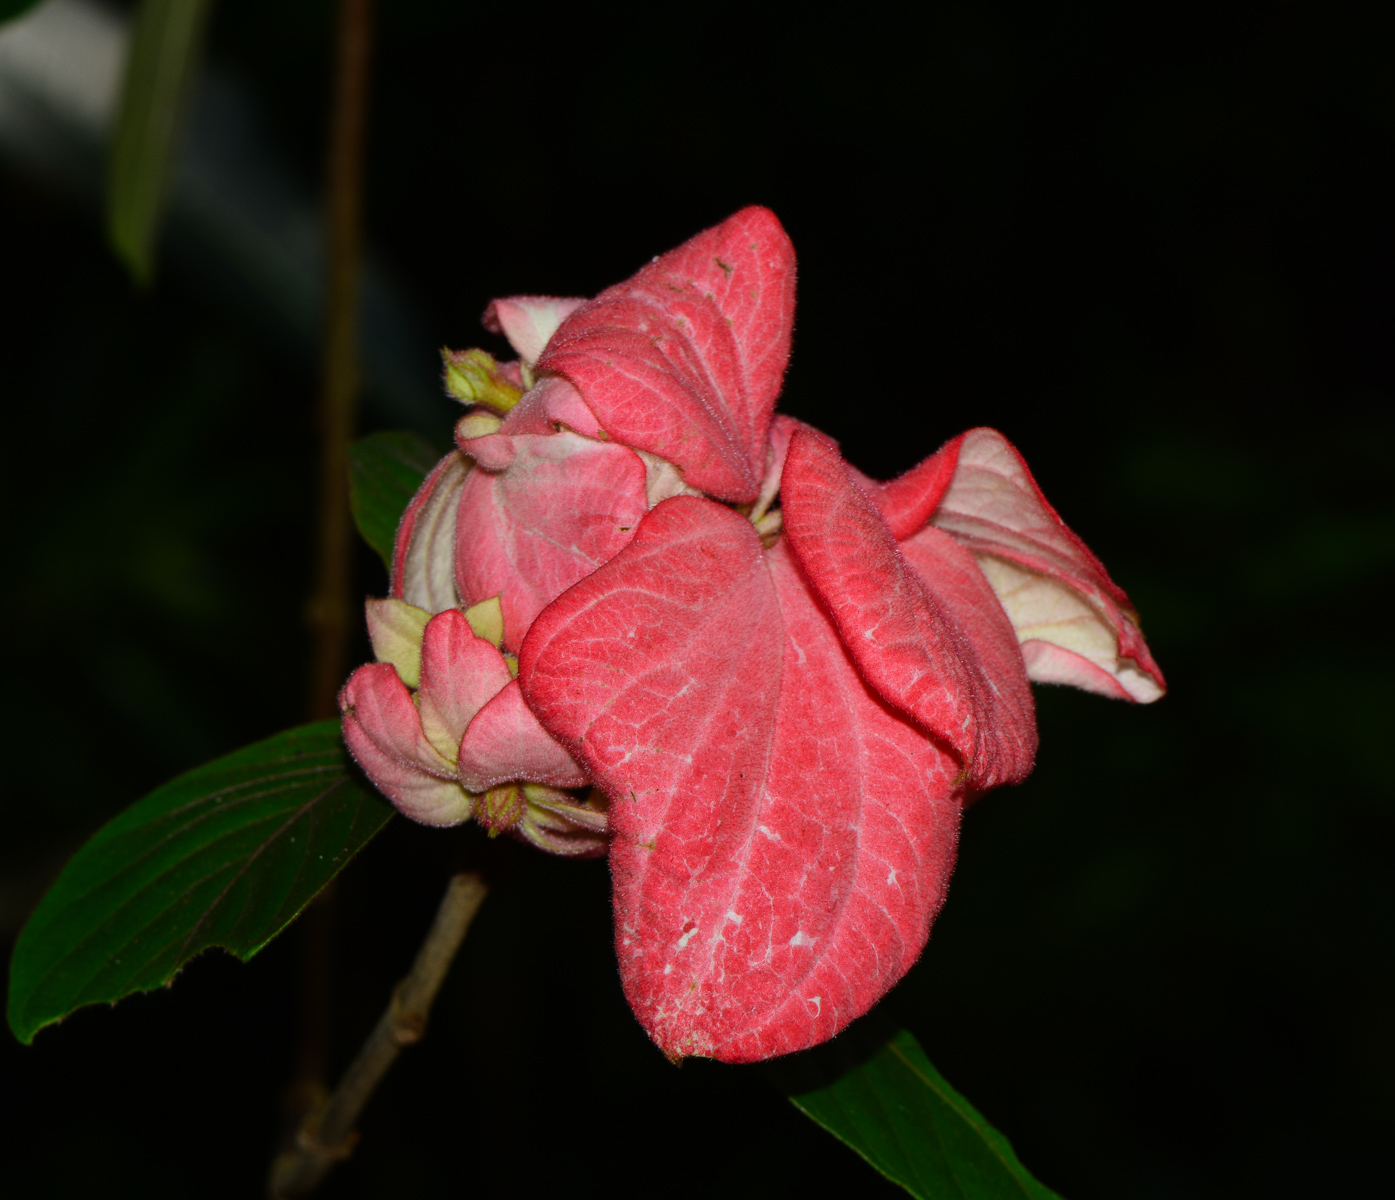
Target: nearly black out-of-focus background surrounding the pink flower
[[1156, 252]]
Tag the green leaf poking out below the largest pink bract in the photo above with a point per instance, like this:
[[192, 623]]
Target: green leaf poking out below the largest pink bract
[[874, 1089]]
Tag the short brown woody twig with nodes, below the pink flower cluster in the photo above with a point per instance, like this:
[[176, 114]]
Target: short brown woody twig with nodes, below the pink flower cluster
[[327, 1135]]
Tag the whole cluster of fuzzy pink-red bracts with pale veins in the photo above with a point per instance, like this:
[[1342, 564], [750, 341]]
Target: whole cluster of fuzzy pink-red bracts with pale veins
[[769, 682]]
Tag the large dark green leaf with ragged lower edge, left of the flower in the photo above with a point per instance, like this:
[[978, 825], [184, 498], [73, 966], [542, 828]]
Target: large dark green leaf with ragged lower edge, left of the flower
[[225, 856]]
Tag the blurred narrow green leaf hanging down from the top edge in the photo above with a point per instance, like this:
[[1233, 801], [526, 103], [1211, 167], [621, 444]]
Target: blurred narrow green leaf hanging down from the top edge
[[165, 51]]
